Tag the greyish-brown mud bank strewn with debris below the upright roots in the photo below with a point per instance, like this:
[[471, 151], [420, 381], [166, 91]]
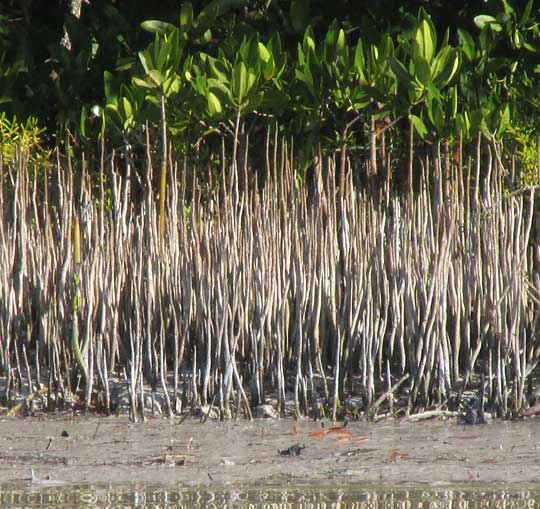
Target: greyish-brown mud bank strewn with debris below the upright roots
[[113, 450]]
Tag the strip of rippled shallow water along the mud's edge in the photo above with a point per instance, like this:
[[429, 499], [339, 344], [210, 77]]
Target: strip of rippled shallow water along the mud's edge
[[270, 498]]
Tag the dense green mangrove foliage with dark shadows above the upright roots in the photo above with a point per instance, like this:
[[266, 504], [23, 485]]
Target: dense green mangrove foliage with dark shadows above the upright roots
[[335, 76]]
